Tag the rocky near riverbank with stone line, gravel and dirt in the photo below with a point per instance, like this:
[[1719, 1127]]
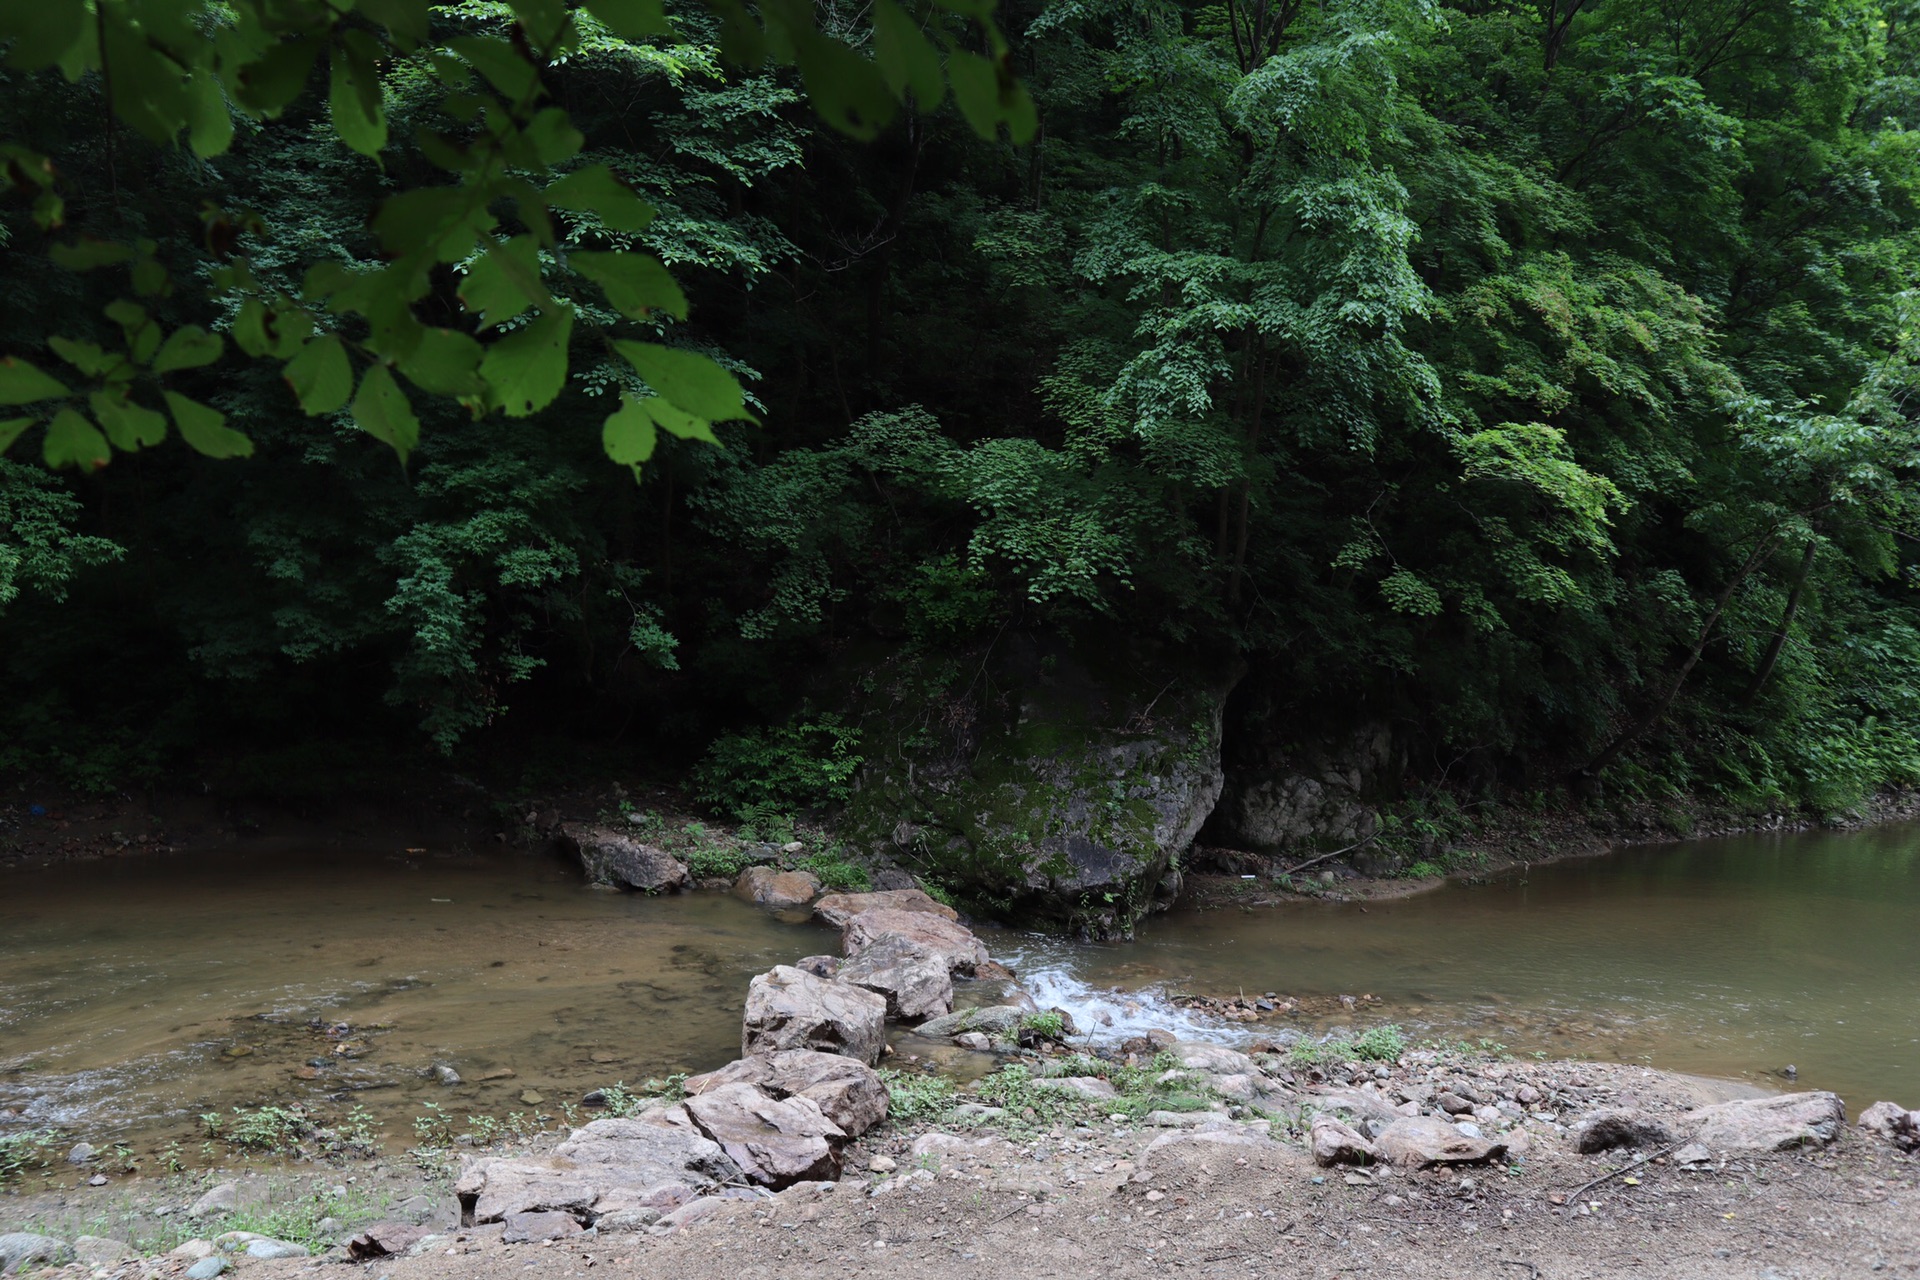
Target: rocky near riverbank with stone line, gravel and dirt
[[1366, 1154]]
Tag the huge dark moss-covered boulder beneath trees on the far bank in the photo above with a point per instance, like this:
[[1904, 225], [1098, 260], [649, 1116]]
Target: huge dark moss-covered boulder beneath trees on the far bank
[[1044, 782]]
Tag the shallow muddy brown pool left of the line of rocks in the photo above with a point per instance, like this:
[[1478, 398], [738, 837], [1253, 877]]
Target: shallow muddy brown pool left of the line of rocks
[[139, 995]]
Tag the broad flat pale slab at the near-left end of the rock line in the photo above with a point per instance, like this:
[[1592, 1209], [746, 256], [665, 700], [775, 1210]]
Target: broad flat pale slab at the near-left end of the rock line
[[610, 1166]]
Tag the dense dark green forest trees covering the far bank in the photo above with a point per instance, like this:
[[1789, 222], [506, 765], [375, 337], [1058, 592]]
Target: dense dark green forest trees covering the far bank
[[1533, 375]]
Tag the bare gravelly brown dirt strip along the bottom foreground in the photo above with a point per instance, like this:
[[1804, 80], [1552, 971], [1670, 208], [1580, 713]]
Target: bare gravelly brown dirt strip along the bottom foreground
[[1107, 1197]]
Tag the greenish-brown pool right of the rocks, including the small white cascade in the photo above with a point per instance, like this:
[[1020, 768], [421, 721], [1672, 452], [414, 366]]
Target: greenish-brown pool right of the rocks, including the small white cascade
[[1731, 959]]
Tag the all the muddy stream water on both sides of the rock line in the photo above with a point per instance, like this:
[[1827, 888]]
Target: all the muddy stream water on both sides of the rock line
[[139, 995]]
